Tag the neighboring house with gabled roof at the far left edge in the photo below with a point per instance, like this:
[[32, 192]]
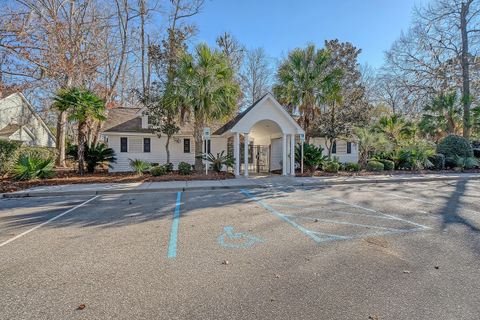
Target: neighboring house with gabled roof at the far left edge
[[20, 122]]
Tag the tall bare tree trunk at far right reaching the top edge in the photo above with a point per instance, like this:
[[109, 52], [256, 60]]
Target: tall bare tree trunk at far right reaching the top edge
[[465, 70]]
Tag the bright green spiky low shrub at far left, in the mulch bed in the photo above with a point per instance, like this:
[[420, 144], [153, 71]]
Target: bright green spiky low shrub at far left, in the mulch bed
[[28, 168]]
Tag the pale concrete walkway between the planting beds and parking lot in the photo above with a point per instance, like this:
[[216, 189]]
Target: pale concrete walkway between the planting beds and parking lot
[[239, 183]]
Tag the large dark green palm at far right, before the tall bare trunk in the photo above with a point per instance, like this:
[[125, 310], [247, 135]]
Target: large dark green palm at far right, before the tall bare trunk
[[442, 117]]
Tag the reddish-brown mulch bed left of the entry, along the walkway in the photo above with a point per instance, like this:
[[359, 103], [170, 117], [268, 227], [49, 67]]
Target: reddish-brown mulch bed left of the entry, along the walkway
[[66, 177]]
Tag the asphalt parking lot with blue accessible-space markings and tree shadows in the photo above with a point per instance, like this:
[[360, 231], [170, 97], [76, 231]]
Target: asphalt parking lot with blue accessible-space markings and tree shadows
[[386, 251]]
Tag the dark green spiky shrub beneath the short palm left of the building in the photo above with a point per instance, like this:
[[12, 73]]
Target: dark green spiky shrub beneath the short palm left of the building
[[95, 156]]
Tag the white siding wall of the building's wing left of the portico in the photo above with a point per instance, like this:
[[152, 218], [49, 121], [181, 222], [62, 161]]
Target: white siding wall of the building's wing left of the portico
[[157, 152]]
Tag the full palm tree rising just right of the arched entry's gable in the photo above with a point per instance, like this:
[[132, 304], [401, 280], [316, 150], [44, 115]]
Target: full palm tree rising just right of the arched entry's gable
[[301, 82]]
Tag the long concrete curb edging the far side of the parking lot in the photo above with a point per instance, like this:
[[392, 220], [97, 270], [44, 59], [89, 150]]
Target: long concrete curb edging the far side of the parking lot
[[238, 187]]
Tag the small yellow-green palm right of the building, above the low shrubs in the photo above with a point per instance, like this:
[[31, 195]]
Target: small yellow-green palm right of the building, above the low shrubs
[[395, 128]]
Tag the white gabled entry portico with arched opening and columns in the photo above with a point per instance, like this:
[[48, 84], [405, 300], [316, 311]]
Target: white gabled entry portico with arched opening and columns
[[267, 128]]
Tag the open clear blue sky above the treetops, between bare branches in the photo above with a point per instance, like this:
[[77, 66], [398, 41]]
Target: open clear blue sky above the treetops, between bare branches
[[281, 25]]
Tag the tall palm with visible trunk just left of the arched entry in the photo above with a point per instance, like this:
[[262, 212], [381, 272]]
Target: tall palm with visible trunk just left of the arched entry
[[208, 89]]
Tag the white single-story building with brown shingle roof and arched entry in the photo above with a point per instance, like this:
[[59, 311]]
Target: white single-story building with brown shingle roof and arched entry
[[265, 127]]
